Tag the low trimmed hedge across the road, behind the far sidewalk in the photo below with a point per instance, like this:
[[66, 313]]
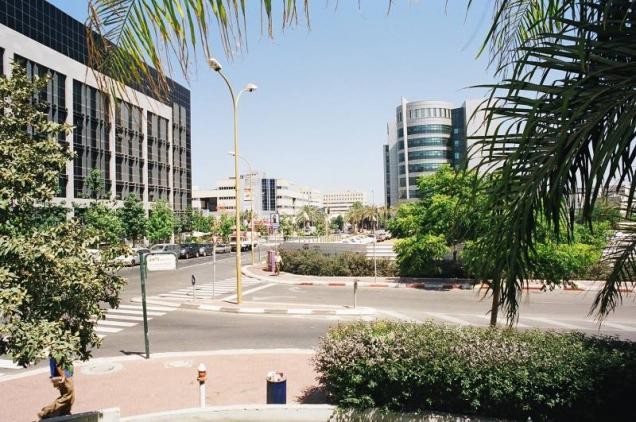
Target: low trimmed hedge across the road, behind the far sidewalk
[[312, 262]]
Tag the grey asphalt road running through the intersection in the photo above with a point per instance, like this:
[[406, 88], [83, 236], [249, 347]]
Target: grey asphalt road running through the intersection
[[193, 330]]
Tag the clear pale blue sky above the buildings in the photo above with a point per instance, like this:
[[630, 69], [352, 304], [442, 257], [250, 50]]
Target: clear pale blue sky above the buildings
[[325, 94]]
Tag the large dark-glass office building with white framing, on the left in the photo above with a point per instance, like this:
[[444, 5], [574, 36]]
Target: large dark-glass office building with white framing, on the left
[[140, 144]]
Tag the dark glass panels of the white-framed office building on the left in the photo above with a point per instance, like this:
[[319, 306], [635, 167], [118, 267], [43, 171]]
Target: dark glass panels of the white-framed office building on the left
[[49, 26]]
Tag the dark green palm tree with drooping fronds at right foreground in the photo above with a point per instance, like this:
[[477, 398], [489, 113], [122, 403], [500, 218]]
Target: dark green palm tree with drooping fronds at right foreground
[[562, 125]]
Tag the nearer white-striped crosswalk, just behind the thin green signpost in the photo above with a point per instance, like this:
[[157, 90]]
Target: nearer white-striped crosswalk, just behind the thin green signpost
[[127, 316]]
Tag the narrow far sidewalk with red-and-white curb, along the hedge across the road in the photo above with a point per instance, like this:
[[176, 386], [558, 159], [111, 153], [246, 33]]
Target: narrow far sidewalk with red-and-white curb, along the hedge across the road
[[259, 271]]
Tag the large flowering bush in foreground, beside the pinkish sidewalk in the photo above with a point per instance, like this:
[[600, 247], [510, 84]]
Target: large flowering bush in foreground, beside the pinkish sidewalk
[[506, 373]]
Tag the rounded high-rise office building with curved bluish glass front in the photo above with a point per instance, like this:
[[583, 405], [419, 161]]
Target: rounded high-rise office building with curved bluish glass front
[[425, 136]]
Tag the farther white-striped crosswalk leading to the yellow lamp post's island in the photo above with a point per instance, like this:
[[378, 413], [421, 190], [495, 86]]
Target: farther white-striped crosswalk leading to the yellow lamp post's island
[[207, 291]]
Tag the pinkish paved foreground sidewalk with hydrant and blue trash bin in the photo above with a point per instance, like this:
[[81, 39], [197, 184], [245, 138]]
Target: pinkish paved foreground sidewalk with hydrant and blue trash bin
[[164, 382]]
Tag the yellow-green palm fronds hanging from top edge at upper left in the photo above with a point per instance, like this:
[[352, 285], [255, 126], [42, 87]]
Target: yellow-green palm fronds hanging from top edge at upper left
[[136, 42]]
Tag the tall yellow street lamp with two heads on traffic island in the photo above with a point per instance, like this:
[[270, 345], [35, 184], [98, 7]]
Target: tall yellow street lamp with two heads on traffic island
[[216, 66]]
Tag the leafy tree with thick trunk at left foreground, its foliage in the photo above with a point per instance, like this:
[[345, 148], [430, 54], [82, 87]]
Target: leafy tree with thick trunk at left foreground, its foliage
[[51, 291]]
